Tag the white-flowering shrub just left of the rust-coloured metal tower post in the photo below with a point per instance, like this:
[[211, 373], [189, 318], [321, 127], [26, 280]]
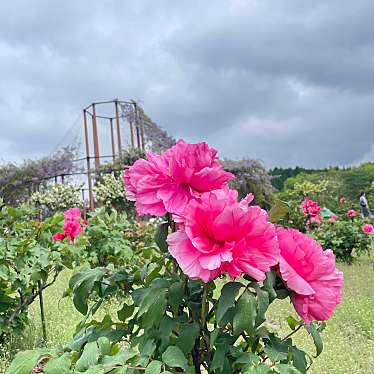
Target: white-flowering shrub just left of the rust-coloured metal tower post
[[57, 198]]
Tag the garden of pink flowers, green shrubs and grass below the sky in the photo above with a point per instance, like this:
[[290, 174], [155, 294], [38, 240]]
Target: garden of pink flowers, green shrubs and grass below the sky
[[187, 266]]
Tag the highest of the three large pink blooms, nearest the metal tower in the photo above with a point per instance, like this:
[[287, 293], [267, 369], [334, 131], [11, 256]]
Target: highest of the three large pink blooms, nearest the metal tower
[[167, 182]]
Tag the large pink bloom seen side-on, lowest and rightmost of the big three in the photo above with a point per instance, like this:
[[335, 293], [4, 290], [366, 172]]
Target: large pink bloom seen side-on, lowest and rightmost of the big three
[[310, 272]]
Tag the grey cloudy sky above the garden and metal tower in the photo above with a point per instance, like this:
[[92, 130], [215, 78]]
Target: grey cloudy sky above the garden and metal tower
[[287, 82]]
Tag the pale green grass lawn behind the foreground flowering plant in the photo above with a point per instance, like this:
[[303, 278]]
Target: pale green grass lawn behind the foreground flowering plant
[[348, 338]]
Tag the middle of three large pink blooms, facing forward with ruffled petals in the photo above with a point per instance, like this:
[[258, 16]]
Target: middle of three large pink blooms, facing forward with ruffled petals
[[219, 234]]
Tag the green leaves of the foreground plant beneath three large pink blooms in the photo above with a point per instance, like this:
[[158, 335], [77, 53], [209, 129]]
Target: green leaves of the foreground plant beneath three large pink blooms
[[168, 323]]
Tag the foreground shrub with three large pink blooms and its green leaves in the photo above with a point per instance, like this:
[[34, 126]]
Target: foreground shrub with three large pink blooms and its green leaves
[[181, 312]]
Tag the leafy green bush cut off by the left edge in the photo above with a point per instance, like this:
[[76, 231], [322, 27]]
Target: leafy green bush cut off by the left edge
[[29, 262]]
